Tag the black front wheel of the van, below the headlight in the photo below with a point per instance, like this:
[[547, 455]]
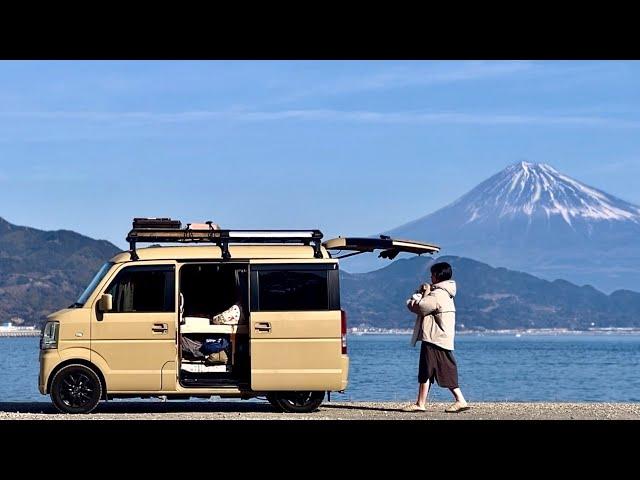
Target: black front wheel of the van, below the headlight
[[76, 389]]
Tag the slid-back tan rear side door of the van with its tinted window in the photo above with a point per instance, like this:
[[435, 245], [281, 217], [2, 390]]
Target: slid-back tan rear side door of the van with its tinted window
[[295, 326]]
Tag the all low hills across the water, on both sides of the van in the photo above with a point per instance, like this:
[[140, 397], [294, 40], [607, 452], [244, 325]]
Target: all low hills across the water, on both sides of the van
[[41, 272]]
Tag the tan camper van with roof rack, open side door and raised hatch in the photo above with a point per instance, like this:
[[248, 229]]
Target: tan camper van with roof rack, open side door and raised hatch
[[236, 313]]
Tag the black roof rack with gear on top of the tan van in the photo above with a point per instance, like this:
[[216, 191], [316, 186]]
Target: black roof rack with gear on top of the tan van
[[166, 230]]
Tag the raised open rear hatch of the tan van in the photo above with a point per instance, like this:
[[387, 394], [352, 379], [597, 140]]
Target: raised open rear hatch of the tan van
[[389, 247]]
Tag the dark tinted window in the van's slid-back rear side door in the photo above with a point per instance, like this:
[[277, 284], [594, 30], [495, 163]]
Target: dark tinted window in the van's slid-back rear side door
[[284, 289]]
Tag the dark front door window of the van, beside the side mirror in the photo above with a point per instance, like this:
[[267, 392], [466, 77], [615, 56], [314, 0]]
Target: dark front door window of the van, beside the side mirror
[[144, 289]]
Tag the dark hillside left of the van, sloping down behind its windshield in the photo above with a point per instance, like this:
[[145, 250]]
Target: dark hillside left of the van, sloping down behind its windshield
[[41, 272]]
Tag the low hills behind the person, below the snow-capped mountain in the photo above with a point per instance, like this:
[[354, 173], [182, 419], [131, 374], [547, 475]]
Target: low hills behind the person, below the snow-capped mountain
[[491, 298]]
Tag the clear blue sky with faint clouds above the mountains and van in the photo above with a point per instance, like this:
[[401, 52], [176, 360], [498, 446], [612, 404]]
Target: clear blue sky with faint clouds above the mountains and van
[[349, 147]]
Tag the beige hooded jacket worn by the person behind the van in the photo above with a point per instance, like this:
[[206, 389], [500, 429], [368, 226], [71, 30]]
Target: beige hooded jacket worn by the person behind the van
[[436, 315]]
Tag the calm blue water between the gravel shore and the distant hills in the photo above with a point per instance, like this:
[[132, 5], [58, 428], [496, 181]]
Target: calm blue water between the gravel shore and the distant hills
[[587, 368]]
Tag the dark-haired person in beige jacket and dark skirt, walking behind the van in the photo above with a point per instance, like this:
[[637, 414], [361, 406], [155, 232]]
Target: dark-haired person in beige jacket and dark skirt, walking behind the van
[[435, 328]]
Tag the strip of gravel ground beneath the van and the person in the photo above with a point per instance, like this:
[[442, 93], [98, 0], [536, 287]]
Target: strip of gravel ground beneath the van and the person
[[254, 410]]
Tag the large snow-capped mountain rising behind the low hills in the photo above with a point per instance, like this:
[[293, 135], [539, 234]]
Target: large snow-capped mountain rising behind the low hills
[[531, 217]]
